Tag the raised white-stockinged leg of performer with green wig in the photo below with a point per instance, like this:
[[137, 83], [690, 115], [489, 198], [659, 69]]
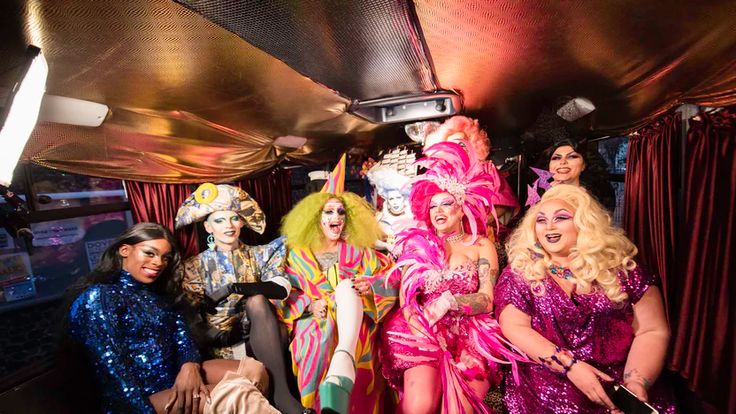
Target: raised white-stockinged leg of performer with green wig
[[349, 320]]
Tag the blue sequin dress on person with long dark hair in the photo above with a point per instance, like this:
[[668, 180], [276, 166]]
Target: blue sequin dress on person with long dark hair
[[135, 343]]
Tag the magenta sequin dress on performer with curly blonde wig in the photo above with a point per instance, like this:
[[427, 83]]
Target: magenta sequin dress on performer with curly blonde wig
[[596, 330]]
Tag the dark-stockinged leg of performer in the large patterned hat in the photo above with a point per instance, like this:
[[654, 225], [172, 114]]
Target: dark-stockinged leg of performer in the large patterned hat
[[265, 340]]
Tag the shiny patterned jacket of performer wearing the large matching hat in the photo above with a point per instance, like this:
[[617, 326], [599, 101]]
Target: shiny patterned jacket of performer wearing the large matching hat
[[208, 271]]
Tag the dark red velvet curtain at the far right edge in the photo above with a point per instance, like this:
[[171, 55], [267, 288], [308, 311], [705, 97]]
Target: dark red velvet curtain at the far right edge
[[705, 334]]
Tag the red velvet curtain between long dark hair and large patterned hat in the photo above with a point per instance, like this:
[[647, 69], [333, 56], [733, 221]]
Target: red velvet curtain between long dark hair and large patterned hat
[[158, 203]]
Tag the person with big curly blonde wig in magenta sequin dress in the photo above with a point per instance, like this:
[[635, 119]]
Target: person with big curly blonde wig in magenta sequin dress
[[574, 301]]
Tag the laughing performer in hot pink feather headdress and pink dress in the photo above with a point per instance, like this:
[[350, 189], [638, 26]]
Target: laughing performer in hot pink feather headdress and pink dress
[[443, 339]]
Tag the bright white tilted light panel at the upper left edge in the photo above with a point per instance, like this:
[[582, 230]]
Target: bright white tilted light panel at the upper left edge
[[19, 115]]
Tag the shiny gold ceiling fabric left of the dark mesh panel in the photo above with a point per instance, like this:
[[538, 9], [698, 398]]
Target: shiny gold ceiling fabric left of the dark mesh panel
[[190, 102]]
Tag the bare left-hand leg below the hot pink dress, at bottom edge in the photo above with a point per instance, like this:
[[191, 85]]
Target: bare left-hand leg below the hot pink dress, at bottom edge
[[421, 390]]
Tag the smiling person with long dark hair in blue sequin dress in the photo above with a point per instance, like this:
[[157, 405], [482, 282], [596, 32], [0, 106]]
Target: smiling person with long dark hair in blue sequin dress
[[139, 347]]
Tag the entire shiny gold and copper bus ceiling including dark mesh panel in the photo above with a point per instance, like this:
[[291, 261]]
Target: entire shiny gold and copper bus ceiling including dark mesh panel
[[198, 90]]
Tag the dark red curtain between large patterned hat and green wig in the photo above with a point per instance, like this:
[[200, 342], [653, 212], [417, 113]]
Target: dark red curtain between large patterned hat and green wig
[[272, 191]]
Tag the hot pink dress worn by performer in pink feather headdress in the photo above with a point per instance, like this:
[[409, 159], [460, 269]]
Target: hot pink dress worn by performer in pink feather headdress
[[463, 347]]
